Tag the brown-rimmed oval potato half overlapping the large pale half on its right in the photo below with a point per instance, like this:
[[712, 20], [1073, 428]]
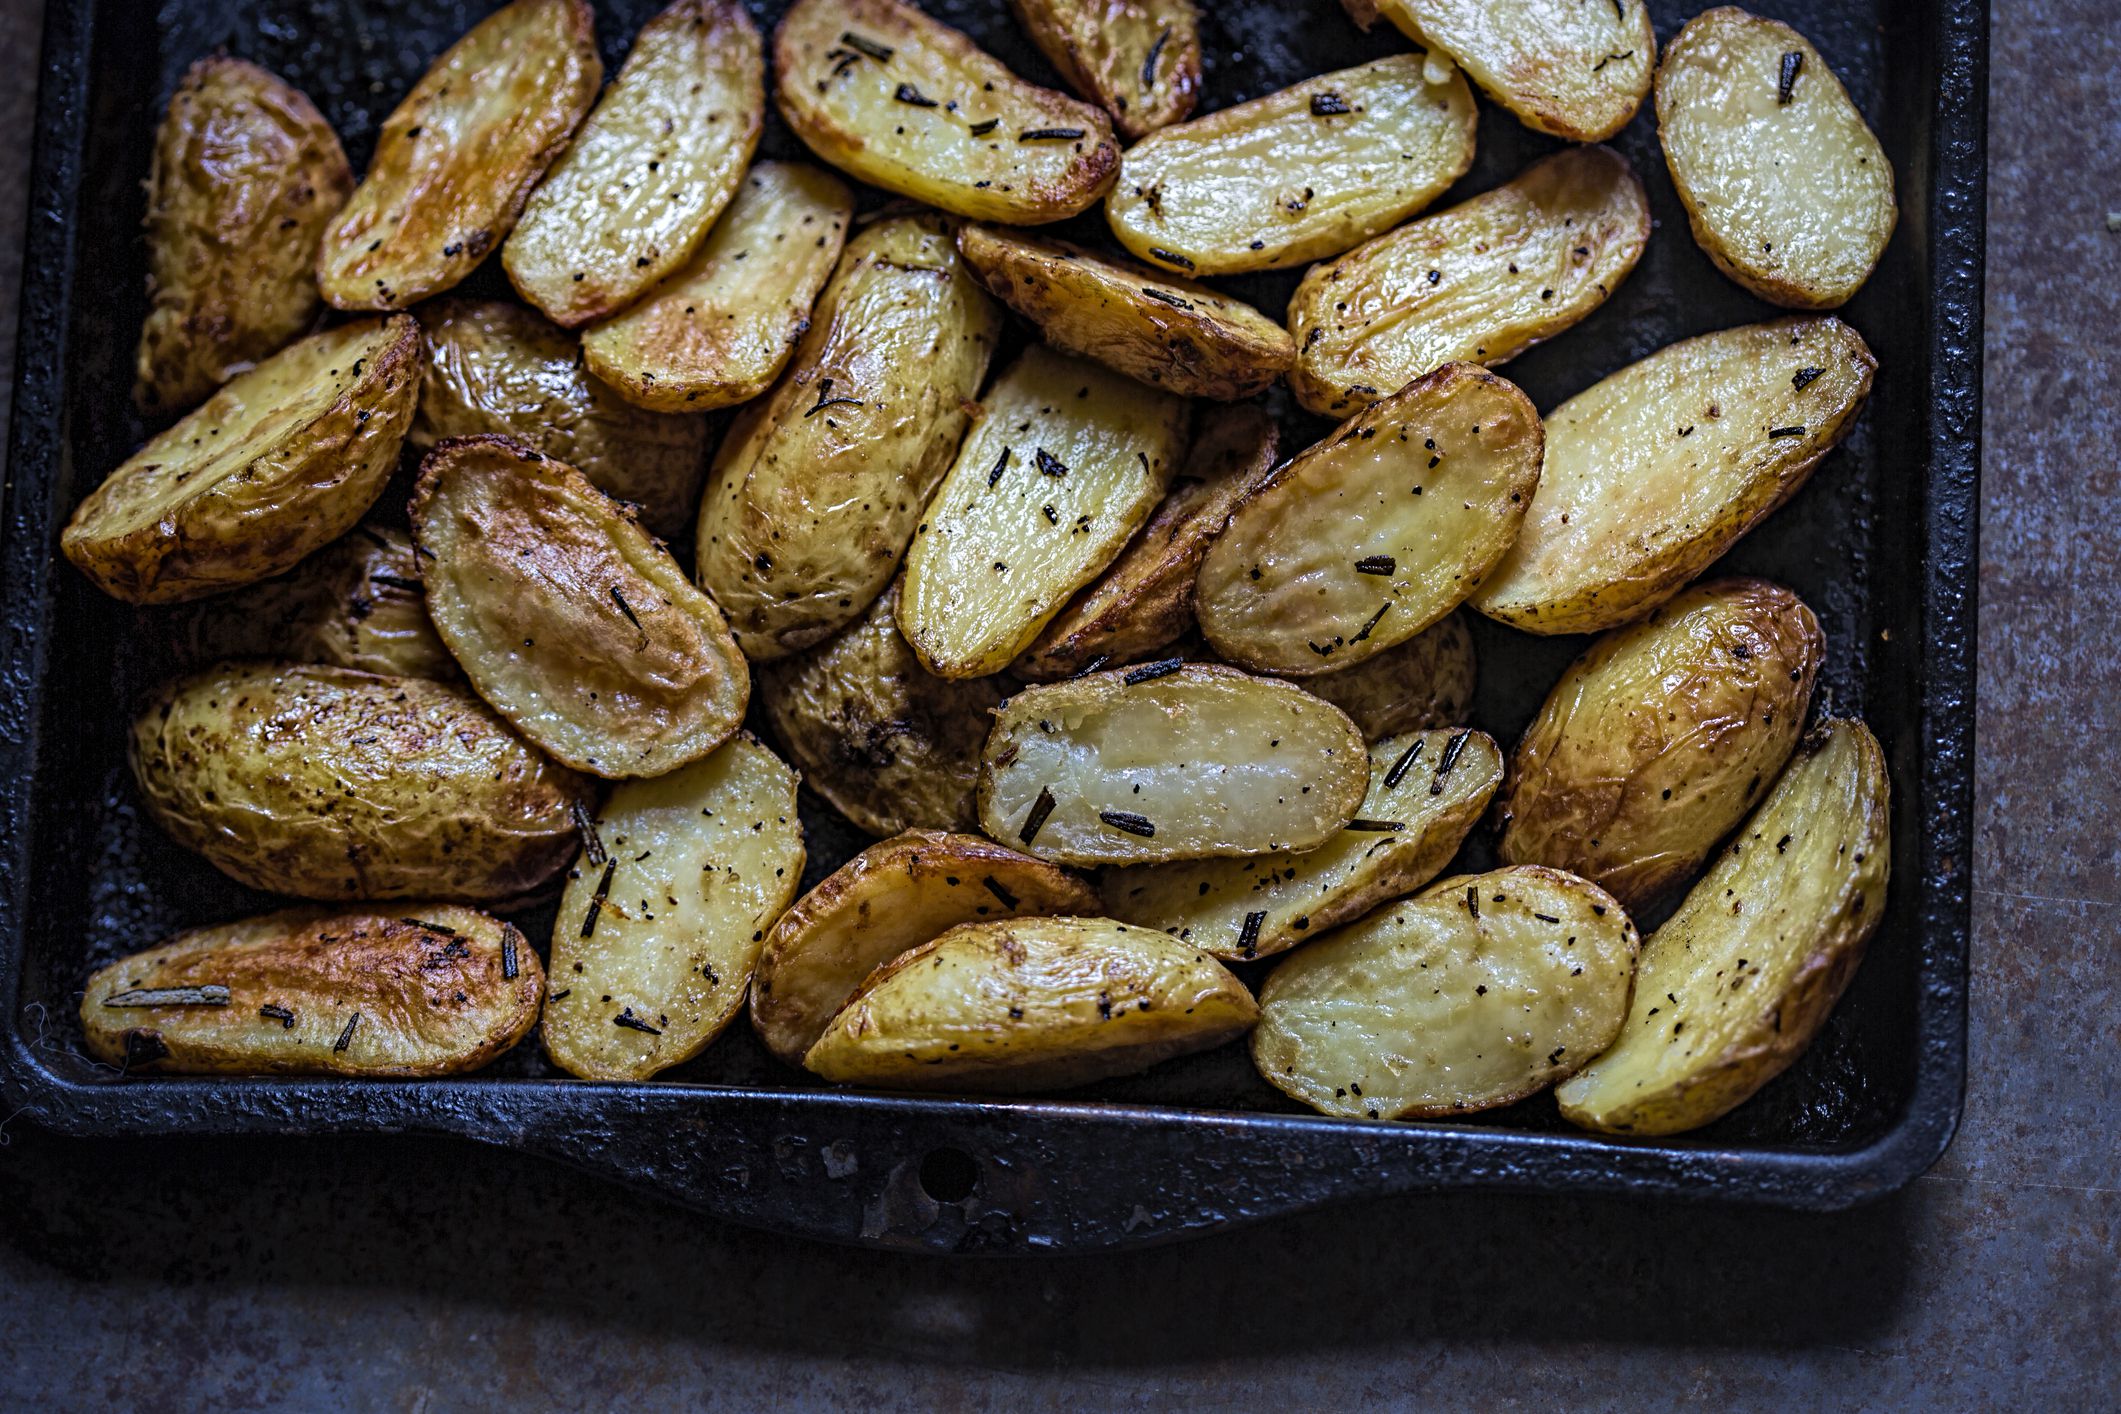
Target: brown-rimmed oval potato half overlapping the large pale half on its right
[[1375, 533]]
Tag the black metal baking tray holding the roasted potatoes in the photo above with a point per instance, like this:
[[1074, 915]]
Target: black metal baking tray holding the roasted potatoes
[[1882, 544]]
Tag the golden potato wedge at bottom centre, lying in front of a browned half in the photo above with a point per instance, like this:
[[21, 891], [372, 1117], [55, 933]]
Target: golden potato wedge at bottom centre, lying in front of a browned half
[[1032, 1004]]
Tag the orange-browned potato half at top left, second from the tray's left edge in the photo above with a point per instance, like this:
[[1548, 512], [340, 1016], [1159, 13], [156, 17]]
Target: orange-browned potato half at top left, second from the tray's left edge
[[461, 154]]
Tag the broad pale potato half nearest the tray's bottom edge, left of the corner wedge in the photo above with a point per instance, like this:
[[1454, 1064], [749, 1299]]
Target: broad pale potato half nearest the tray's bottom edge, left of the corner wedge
[[1477, 993]]
